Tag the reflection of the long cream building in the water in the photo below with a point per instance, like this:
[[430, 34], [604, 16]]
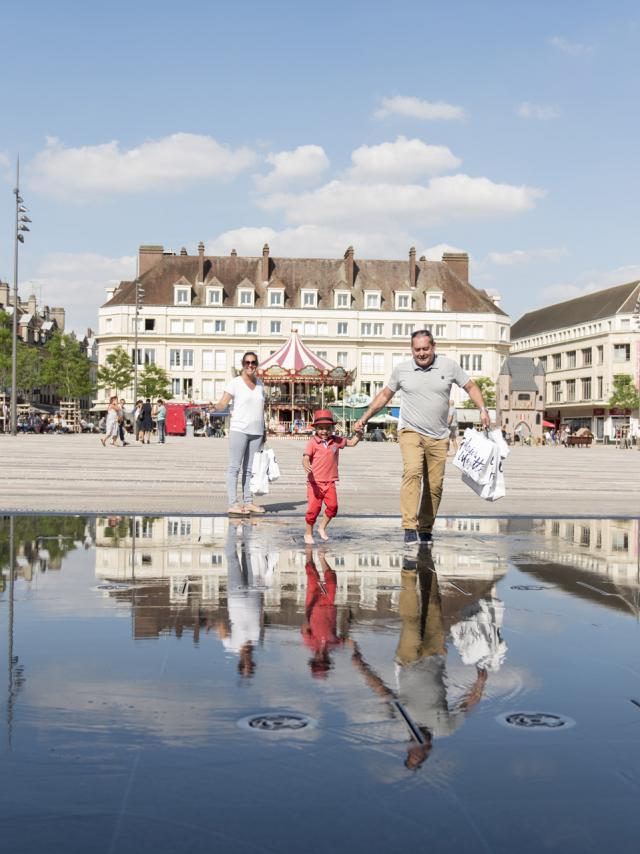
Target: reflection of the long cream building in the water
[[179, 566]]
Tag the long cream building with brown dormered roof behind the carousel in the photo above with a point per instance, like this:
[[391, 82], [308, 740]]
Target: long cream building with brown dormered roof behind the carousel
[[200, 313]]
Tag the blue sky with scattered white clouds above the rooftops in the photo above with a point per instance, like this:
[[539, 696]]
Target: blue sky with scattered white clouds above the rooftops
[[508, 130]]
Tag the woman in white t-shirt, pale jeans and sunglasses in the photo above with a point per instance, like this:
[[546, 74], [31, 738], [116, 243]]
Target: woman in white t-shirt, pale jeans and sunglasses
[[246, 432]]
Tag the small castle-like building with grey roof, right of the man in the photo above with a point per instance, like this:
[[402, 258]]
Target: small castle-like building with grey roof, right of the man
[[520, 397]]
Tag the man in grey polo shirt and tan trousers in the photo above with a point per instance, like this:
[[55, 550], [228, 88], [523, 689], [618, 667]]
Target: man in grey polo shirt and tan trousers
[[423, 432]]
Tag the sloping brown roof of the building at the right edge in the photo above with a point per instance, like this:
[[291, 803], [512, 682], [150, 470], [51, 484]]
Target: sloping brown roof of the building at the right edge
[[584, 309]]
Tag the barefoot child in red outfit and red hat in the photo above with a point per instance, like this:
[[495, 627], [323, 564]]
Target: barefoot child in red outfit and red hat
[[320, 461]]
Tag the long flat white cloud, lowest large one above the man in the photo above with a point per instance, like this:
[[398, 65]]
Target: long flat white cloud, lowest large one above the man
[[443, 199]]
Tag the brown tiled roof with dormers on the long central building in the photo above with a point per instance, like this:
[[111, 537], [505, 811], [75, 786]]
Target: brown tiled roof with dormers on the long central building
[[322, 274]]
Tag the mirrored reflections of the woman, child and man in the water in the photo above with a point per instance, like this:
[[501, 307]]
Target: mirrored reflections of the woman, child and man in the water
[[424, 695]]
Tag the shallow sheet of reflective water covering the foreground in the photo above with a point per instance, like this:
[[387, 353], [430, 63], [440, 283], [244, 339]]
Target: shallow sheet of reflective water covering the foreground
[[175, 682]]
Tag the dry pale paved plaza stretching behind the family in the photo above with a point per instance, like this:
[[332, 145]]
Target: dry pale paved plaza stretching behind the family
[[75, 474]]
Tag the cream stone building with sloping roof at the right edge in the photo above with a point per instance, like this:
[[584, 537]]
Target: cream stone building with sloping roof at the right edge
[[582, 344]]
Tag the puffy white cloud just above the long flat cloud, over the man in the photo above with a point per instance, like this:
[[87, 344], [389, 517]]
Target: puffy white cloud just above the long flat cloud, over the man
[[401, 160]]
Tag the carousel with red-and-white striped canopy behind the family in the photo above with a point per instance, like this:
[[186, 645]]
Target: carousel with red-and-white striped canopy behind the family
[[296, 380]]
